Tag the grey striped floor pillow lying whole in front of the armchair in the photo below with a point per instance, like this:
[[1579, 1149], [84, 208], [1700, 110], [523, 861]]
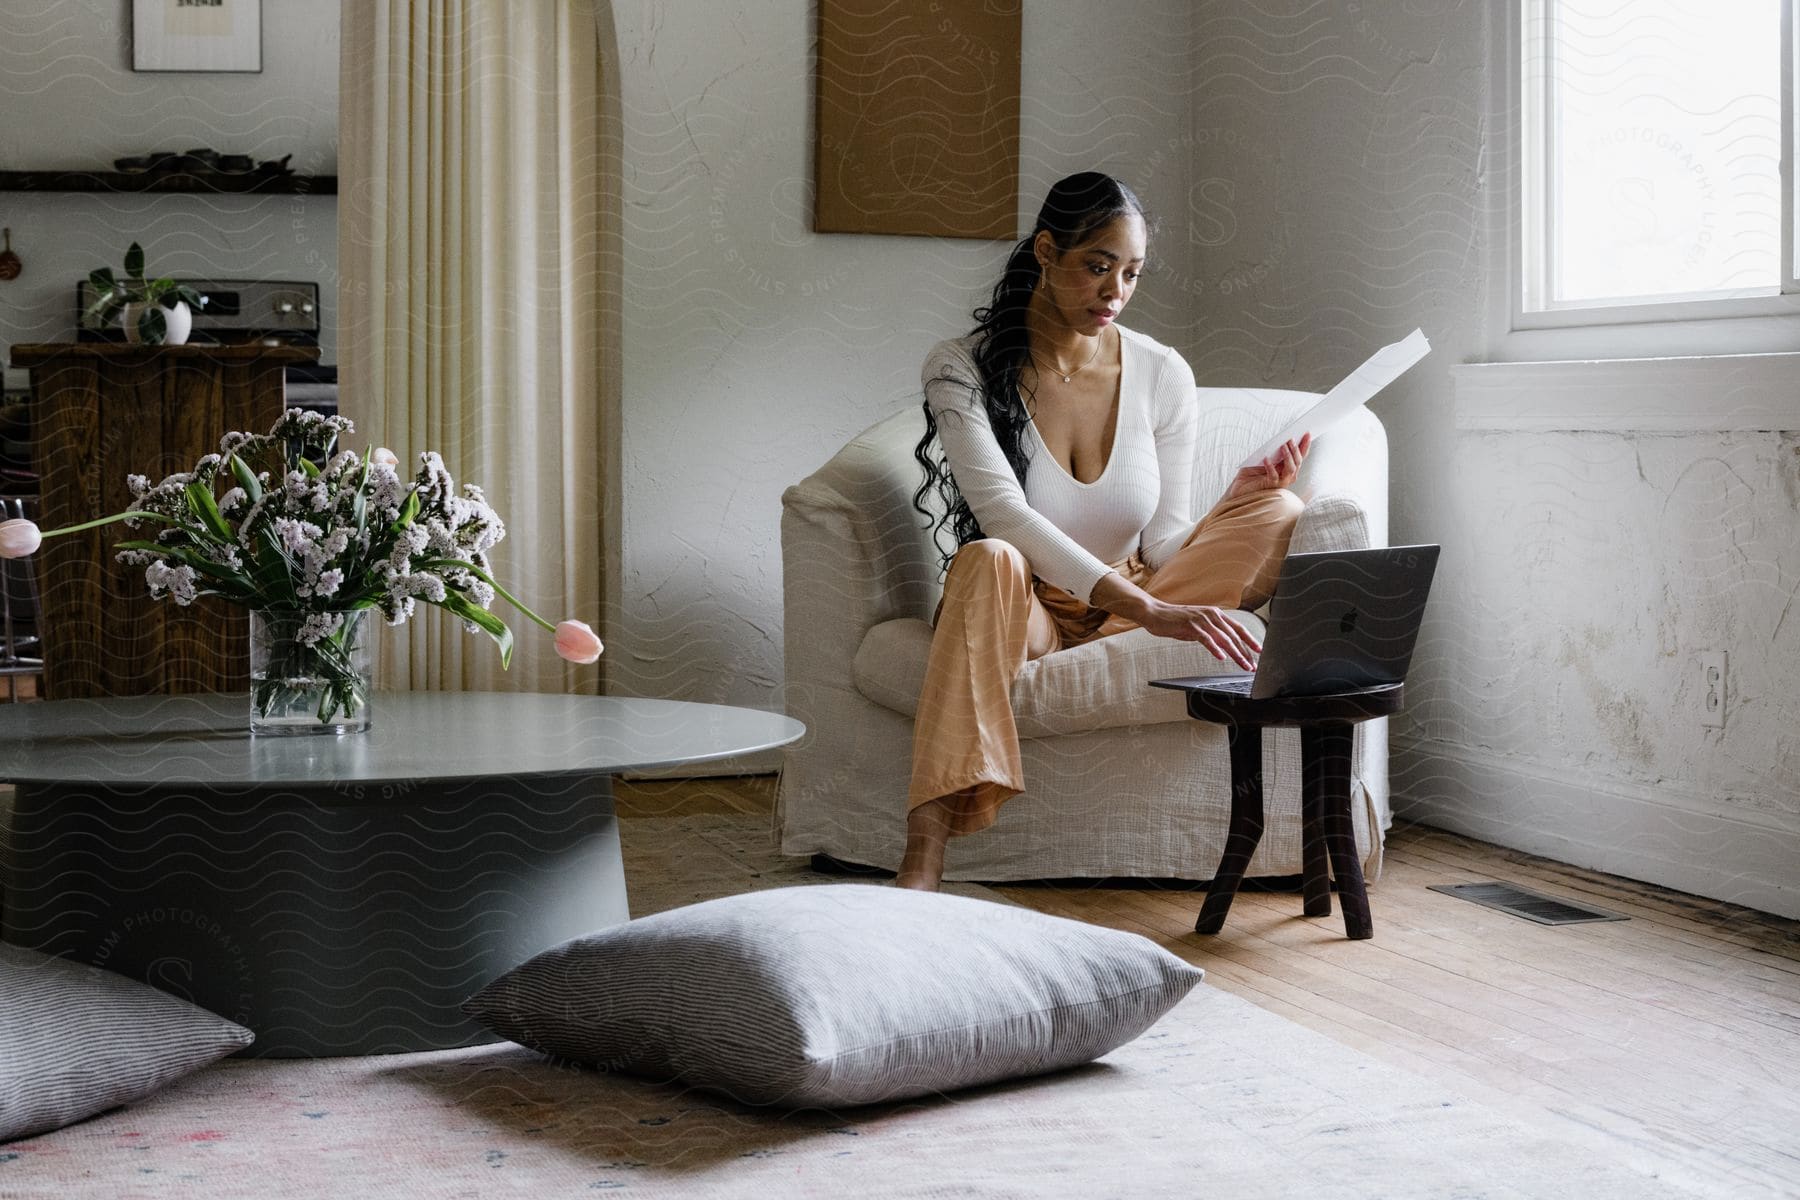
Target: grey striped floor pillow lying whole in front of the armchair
[[834, 996]]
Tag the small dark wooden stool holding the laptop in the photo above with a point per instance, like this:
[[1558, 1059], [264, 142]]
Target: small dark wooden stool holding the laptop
[[1327, 846]]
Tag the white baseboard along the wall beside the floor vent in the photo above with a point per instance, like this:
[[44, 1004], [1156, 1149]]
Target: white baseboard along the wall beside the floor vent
[[1603, 825]]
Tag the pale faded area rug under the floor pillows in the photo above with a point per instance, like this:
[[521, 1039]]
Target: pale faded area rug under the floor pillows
[[1218, 1100]]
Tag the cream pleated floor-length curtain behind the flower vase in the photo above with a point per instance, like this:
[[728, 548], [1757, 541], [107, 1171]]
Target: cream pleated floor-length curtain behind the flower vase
[[472, 292]]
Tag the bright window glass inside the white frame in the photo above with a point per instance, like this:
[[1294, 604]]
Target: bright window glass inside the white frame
[[1655, 161]]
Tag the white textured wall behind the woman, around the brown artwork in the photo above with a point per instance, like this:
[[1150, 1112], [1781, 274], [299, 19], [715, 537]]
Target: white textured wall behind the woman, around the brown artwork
[[755, 348]]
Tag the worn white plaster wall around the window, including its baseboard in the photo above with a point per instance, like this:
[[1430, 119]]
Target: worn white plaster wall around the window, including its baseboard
[[1344, 202]]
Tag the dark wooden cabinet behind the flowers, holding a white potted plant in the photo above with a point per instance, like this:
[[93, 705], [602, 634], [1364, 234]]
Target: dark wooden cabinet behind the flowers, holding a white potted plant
[[100, 415]]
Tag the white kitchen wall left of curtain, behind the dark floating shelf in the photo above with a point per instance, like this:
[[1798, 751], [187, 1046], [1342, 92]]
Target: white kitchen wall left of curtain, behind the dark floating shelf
[[71, 100]]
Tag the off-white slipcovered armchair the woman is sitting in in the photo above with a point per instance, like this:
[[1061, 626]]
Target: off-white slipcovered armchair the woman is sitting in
[[1119, 780]]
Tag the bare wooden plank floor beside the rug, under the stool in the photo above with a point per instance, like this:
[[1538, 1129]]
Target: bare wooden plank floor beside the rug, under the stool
[[1677, 1030]]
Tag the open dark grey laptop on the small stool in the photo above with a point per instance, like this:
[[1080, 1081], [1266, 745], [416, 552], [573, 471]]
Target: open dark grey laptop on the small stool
[[1340, 622]]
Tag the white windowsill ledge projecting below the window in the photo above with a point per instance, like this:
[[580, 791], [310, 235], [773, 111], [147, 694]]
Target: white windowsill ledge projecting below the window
[[1716, 393]]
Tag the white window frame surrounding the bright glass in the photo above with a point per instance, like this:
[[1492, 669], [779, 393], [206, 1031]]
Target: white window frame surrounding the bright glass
[[1711, 327]]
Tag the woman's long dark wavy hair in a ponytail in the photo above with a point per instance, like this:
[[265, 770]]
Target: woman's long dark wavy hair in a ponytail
[[1074, 211]]
